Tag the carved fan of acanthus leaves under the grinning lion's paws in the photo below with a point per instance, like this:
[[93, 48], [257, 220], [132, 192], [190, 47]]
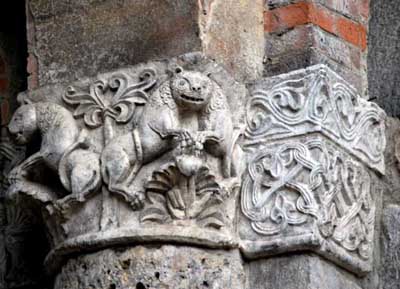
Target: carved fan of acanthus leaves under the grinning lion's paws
[[175, 195]]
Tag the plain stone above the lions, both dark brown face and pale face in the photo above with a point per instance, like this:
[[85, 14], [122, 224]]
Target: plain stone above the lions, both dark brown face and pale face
[[75, 39]]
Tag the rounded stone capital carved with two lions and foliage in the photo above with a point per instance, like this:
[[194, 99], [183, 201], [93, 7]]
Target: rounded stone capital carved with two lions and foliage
[[149, 153]]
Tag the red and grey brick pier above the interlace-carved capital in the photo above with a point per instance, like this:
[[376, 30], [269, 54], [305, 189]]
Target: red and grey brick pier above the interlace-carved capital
[[305, 32]]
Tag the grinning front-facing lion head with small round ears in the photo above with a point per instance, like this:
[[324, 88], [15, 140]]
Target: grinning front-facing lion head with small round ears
[[191, 90]]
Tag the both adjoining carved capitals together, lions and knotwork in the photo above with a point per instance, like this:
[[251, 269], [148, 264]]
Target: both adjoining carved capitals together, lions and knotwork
[[161, 152]]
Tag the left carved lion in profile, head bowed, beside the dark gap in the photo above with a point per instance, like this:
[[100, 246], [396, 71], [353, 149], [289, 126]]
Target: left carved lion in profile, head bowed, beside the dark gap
[[59, 134]]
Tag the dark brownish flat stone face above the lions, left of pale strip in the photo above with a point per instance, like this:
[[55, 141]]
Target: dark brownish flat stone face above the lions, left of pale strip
[[82, 38]]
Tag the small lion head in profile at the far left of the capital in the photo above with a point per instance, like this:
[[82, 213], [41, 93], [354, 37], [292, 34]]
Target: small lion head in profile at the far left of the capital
[[23, 124]]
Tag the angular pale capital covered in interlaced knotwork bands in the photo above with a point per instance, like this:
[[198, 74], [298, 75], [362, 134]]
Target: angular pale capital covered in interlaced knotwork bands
[[310, 140]]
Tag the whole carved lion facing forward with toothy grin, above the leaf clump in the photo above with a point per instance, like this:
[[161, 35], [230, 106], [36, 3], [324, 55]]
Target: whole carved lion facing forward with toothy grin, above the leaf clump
[[188, 111]]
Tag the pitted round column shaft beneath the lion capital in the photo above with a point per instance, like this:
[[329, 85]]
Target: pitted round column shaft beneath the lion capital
[[154, 267]]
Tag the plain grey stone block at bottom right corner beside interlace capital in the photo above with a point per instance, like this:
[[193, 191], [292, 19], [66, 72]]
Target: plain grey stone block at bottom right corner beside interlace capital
[[390, 255]]
